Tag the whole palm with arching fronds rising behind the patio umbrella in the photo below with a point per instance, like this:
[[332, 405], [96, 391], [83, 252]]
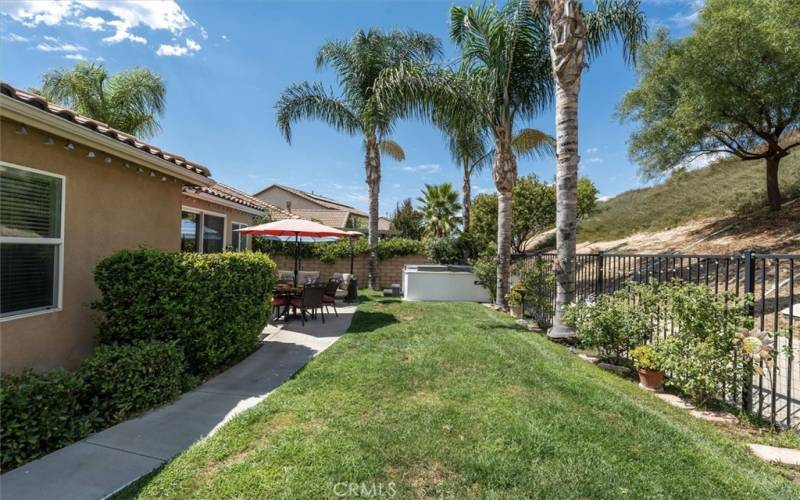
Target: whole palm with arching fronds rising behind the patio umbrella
[[358, 63]]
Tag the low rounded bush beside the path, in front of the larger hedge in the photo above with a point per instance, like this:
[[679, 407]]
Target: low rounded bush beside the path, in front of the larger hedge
[[122, 380]]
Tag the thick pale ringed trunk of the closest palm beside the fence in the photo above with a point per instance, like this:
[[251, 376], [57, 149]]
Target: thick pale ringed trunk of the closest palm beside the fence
[[567, 34]]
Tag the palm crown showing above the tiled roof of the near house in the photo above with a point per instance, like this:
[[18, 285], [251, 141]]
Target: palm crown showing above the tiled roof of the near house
[[130, 101]]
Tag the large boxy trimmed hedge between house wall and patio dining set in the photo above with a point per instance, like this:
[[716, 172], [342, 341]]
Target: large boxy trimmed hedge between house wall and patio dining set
[[213, 305]]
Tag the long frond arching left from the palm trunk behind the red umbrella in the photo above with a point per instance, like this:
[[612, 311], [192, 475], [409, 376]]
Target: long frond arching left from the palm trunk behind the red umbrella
[[310, 100]]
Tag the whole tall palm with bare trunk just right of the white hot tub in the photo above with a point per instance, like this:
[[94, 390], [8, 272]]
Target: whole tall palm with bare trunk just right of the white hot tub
[[505, 77]]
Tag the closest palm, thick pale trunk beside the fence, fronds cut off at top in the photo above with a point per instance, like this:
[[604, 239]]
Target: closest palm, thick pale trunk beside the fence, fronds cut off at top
[[573, 32]]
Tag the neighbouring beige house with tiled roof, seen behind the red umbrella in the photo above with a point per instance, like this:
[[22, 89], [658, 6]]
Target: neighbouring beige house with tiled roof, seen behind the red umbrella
[[320, 208]]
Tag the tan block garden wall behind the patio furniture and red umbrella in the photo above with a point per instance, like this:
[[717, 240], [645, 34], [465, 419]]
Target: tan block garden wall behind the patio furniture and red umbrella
[[390, 270]]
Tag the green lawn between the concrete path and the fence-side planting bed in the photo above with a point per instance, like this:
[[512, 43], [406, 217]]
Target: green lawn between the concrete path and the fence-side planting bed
[[455, 400]]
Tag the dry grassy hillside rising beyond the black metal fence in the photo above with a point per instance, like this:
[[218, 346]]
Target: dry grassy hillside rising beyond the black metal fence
[[723, 200]]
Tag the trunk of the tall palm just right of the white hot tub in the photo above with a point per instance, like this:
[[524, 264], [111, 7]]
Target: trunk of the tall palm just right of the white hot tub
[[504, 172]]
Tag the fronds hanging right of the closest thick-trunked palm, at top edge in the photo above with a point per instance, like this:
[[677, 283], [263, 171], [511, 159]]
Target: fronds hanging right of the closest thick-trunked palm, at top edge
[[617, 20]]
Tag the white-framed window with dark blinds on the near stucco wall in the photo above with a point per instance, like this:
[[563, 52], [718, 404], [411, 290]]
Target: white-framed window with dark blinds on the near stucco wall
[[31, 240]]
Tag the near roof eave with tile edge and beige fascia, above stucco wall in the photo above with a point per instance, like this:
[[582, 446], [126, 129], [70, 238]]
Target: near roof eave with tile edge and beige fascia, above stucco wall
[[28, 107]]
